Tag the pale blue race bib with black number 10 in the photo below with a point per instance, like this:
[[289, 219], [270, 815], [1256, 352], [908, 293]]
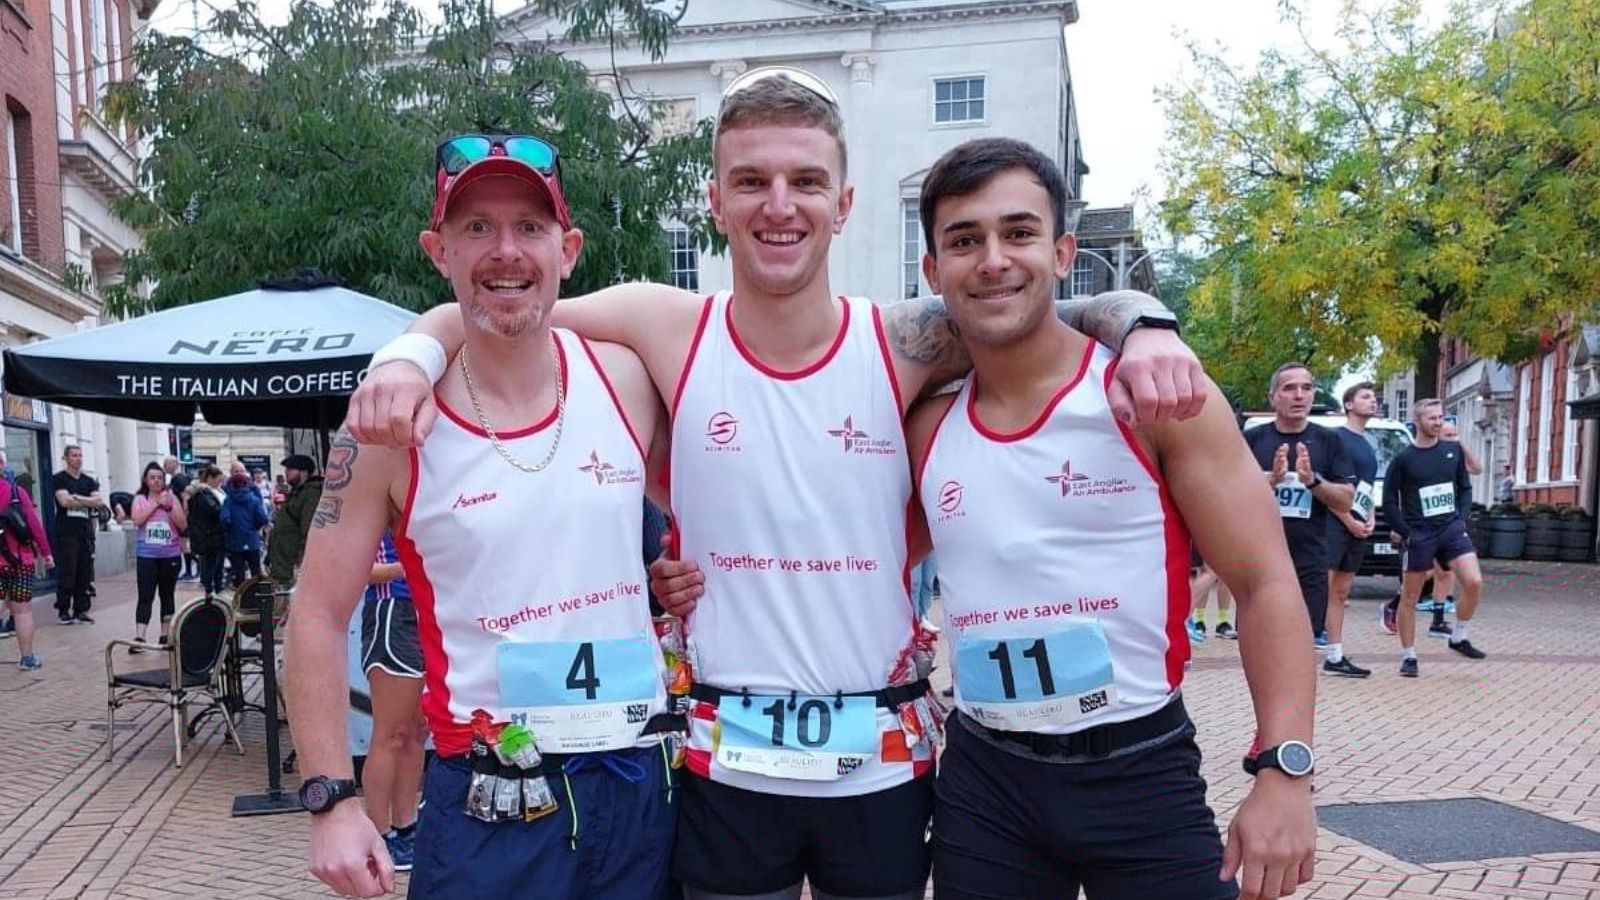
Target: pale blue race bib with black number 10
[[812, 739]]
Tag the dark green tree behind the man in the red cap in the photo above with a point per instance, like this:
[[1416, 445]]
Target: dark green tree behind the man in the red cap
[[276, 148]]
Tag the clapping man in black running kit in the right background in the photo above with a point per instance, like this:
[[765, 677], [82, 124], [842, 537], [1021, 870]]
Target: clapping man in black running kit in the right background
[[1310, 475]]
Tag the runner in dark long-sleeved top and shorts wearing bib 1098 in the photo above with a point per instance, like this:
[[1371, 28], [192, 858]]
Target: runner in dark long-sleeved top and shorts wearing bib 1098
[[1428, 494]]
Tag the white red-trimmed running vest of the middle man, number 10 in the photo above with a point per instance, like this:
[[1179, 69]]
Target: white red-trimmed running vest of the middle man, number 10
[[791, 492]]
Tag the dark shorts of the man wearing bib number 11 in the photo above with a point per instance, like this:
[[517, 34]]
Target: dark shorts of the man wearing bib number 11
[[1010, 826]]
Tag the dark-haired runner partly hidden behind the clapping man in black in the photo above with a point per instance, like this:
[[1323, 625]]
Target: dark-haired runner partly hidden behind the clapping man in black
[[1348, 531]]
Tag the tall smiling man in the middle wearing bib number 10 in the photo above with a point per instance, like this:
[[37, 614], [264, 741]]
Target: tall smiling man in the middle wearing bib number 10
[[786, 406]]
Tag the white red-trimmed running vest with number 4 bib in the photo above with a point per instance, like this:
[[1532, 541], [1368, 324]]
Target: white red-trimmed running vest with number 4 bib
[[530, 589]]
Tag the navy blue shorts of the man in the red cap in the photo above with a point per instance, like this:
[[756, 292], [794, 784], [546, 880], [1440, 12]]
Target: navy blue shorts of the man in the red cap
[[614, 845]]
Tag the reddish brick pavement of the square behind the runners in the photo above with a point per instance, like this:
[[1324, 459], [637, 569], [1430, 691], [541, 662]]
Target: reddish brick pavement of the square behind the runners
[[1519, 728]]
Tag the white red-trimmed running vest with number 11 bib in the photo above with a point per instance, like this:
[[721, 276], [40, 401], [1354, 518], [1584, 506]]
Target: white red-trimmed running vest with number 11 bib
[[1063, 565]]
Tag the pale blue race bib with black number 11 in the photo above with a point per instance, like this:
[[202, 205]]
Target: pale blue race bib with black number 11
[[1026, 685]]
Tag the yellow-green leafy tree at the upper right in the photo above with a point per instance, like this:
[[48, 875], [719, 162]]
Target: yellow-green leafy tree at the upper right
[[1415, 182]]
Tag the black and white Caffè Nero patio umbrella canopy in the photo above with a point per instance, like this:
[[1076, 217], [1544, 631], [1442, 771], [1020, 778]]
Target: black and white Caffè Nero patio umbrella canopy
[[271, 356]]
